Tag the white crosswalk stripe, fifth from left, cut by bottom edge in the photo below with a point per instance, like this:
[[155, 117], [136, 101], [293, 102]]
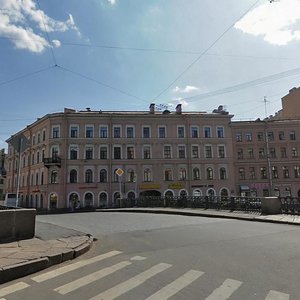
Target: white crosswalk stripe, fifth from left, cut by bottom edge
[[176, 285]]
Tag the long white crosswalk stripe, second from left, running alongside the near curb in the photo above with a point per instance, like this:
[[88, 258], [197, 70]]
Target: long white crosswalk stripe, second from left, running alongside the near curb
[[74, 266]]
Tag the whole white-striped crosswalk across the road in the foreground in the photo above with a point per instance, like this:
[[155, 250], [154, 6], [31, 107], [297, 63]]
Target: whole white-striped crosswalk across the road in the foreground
[[174, 287]]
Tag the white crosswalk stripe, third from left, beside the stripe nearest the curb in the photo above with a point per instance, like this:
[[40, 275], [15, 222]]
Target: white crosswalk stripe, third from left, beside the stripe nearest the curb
[[76, 284]]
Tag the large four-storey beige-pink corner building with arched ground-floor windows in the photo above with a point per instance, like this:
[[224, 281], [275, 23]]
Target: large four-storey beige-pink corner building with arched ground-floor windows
[[92, 158]]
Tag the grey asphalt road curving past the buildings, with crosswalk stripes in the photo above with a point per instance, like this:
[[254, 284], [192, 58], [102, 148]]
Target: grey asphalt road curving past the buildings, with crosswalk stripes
[[174, 256]]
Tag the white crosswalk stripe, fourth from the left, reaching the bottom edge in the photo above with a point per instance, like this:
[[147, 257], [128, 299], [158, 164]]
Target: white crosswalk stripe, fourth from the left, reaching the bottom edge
[[131, 283]]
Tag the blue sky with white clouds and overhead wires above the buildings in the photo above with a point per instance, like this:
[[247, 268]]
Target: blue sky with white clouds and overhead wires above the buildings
[[122, 55]]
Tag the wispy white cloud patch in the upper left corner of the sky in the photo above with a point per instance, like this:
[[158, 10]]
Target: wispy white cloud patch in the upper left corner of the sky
[[16, 16]]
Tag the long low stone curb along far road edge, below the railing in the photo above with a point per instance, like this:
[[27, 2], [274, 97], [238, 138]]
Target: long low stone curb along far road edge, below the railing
[[199, 214]]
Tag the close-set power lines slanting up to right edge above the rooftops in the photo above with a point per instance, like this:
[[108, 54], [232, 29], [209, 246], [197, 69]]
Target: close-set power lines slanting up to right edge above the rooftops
[[243, 85]]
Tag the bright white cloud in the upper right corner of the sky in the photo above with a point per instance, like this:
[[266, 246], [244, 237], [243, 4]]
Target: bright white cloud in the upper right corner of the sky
[[277, 22]]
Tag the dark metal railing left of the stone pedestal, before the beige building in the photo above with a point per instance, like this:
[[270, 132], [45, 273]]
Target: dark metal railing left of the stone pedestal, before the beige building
[[205, 202]]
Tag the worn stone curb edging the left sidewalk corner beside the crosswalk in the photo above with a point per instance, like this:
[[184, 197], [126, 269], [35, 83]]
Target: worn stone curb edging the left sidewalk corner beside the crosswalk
[[12, 272]]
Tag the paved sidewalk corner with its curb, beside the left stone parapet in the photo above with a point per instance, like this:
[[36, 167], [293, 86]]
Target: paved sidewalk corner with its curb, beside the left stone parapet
[[52, 245]]
